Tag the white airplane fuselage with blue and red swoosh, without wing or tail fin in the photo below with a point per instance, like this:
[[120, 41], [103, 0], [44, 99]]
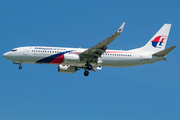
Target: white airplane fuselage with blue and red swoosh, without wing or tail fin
[[70, 56]]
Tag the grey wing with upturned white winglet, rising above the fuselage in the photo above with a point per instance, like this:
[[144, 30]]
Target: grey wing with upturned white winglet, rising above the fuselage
[[97, 50]]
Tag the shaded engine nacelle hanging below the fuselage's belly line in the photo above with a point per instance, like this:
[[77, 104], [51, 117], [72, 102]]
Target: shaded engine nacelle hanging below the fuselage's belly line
[[66, 69]]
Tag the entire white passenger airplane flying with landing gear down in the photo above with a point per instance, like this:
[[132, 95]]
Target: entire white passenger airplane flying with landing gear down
[[69, 60]]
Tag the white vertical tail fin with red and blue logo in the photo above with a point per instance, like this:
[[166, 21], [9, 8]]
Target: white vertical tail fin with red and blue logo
[[158, 41]]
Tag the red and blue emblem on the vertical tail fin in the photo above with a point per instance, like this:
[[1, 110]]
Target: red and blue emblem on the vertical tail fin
[[158, 41]]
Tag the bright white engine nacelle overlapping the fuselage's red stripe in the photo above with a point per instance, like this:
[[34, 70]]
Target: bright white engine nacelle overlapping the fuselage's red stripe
[[71, 58]]
